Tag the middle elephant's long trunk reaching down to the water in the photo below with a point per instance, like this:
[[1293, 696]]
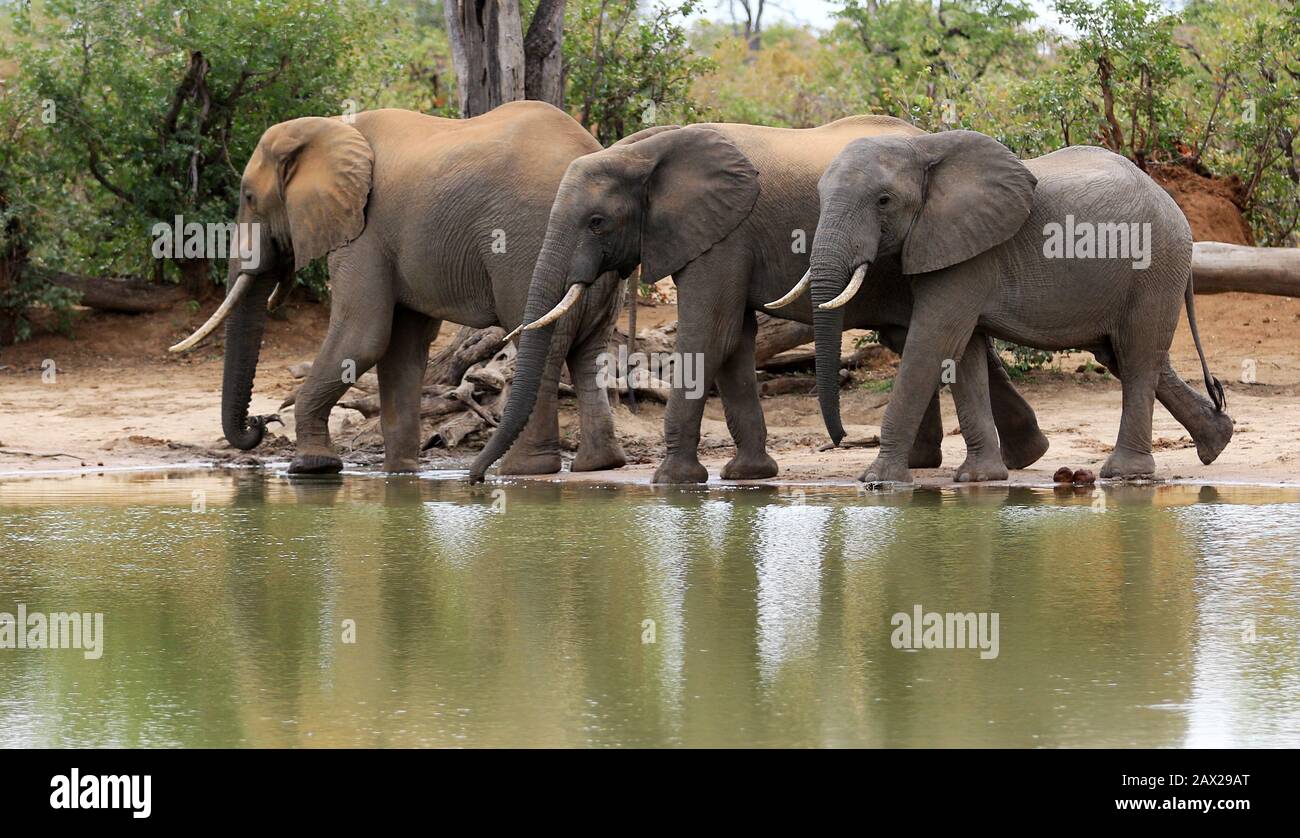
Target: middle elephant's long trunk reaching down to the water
[[544, 294]]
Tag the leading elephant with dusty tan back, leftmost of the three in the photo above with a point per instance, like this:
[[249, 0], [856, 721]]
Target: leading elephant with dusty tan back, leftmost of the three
[[424, 220]]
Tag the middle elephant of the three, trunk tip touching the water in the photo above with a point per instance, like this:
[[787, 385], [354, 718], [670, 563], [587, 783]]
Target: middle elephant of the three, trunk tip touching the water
[[723, 210]]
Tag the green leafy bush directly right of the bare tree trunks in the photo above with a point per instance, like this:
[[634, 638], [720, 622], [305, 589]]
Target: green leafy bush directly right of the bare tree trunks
[[627, 72]]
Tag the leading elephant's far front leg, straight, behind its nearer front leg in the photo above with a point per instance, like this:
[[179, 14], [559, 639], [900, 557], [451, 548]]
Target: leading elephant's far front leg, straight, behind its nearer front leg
[[401, 379]]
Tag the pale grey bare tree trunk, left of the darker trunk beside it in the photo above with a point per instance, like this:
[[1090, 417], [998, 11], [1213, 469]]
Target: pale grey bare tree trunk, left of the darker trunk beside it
[[487, 51]]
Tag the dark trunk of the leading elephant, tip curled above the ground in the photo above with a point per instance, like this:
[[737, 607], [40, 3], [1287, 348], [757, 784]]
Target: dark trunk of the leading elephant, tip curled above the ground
[[245, 328]]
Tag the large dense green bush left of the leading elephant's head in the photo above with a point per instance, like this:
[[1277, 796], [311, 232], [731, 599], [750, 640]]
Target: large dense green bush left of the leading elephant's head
[[157, 106]]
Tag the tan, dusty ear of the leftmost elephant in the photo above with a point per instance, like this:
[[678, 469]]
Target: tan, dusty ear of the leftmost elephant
[[324, 171]]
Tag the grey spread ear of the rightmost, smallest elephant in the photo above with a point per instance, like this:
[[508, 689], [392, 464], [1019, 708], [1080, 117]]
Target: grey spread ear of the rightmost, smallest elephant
[[978, 196]]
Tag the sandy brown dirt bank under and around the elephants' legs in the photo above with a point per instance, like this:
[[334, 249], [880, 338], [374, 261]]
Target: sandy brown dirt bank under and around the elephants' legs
[[118, 400]]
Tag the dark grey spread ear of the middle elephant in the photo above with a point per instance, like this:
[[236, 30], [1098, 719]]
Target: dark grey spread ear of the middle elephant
[[699, 189]]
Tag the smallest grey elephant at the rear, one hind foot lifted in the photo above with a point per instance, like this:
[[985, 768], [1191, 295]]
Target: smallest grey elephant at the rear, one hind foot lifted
[[968, 220]]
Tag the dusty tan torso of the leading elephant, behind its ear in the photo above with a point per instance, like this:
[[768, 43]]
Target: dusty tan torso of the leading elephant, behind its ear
[[470, 201]]
